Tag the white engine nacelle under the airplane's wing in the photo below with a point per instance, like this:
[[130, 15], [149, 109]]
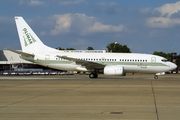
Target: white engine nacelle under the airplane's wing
[[114, 70]]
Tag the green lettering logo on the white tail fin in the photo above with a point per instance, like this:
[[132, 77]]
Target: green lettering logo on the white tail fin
[[28, 38]]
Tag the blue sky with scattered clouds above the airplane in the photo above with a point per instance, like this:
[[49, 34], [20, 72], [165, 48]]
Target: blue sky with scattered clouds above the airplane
[[144, 26]]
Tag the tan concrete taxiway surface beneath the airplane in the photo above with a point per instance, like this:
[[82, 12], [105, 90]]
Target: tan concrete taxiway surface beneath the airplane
[[77, 97]]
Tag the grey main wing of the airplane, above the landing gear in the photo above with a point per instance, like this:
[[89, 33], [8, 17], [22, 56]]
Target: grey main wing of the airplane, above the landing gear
[[87, 64]]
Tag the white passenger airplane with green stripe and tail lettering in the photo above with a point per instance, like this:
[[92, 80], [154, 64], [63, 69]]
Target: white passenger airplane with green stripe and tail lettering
[[117, 64]]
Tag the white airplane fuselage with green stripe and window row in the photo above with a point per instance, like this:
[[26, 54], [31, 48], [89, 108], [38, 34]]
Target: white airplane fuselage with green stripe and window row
[[132, 62]]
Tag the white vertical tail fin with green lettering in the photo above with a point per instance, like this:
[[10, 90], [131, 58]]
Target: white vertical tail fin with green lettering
[[30, 42]]
